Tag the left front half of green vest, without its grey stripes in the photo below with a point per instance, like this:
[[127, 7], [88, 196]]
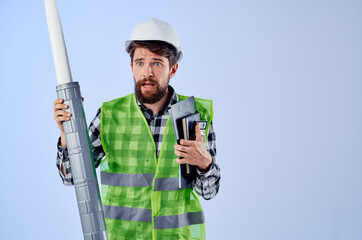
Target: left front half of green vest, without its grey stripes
[[129, 149]]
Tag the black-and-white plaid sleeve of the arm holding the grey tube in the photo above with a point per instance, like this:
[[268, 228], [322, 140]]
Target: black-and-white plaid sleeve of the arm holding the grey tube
[[97, 149]]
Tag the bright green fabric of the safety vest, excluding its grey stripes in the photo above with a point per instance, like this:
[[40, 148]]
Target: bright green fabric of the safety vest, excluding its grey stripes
[[130, 149]]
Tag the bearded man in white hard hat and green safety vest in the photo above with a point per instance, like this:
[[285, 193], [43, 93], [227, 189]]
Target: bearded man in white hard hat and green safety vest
[[133, 141]]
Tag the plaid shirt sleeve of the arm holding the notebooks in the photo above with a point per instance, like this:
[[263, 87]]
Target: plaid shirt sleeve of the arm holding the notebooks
[[207, 183]]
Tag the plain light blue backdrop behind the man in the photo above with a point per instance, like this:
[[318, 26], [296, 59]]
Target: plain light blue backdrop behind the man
[[286, 80]]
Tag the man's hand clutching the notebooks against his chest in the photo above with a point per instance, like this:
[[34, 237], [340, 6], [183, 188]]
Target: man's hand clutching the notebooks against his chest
[[194, 152]]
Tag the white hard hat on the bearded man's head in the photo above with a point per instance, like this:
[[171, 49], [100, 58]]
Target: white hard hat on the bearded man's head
[[156, 30]]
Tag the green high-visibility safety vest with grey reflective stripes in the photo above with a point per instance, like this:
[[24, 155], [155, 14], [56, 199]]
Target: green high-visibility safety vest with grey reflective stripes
[[140, 193]]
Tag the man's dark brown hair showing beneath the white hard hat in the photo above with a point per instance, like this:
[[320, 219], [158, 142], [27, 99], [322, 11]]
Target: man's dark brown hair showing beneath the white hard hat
[[158, 47]]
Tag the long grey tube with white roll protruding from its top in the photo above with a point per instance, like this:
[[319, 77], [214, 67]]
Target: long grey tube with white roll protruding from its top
[[76, 134]]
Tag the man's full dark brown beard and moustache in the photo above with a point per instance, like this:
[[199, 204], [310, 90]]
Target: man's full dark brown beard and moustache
[[149, 97]]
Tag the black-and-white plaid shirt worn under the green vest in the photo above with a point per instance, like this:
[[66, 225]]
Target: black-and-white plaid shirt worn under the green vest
[[206, 183]]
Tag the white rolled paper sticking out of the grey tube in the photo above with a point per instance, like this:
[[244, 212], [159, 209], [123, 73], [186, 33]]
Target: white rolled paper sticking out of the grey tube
[[59, 50]]
